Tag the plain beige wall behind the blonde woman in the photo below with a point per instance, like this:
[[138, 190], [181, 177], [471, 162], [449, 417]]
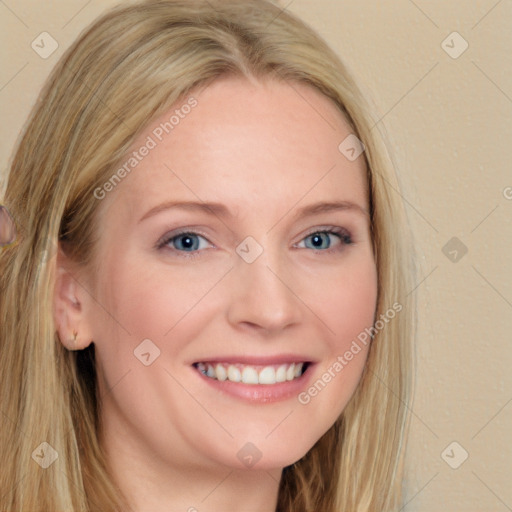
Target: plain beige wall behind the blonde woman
[[449, 123]]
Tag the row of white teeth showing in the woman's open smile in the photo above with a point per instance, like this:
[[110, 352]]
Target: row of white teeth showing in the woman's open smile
[[252, 374]]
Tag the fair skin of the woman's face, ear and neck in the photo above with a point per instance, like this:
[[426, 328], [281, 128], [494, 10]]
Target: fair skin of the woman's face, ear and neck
[[264, 150]]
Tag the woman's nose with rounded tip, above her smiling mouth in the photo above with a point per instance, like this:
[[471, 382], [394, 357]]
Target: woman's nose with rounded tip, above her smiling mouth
[[262, 297]]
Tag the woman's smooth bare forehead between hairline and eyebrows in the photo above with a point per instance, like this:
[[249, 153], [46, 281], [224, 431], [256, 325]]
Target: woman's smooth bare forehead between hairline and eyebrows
[[246, 144]]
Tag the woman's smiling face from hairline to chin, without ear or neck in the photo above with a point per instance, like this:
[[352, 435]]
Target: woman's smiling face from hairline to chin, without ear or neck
[[237, 247]]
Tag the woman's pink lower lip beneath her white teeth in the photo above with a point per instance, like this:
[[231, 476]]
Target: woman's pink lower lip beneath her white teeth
[[261, 393]]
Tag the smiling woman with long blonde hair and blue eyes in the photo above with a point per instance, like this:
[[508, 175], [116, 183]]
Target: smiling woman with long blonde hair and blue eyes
[[208, 306]]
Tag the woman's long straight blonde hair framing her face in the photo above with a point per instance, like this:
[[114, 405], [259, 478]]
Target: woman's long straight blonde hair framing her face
[[130, 66]]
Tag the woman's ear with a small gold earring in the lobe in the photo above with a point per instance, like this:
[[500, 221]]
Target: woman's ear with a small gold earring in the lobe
[[70, 305]]
